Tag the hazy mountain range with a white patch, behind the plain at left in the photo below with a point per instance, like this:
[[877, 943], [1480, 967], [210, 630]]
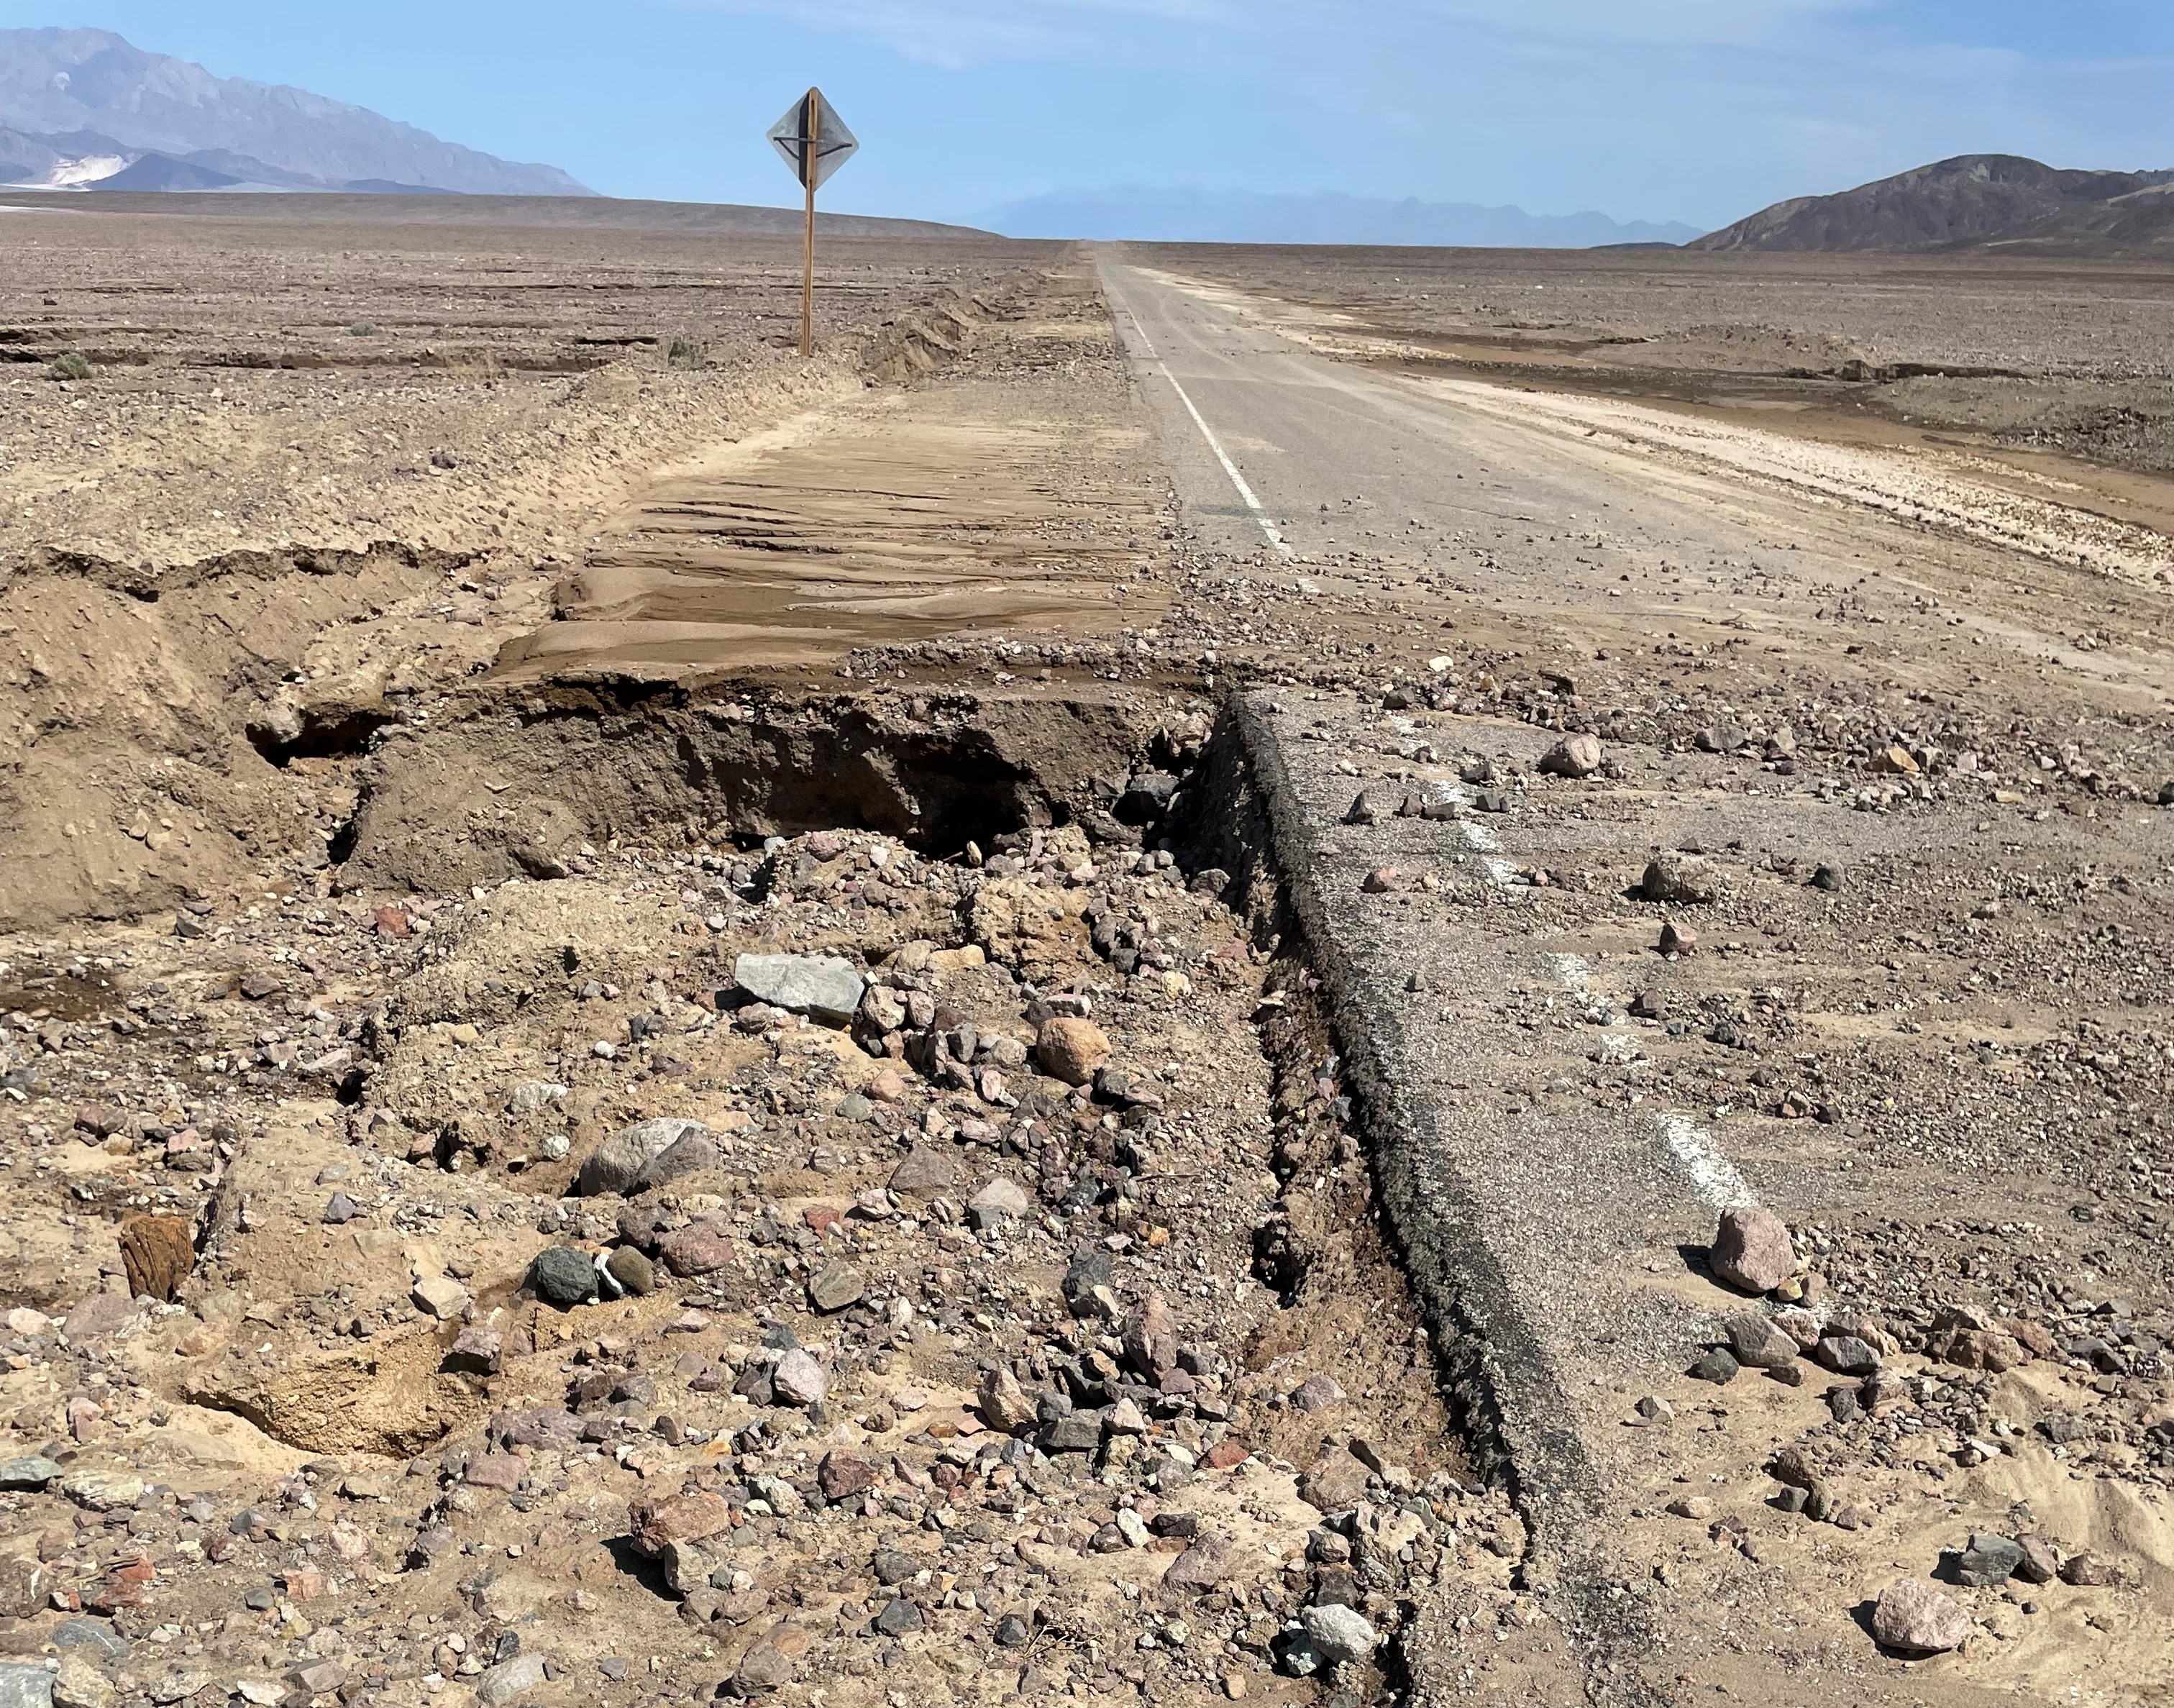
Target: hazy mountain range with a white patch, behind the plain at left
[[84, 110]]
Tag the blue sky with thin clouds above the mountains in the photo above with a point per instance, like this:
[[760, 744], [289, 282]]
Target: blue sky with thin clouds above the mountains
[[1658, 110]]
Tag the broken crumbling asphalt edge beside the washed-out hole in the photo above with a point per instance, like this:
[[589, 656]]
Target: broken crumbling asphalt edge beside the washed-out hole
[[1499, 1379]]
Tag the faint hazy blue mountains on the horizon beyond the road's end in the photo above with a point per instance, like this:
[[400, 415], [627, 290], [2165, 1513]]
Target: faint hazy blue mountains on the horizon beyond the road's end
[[1234, 216]]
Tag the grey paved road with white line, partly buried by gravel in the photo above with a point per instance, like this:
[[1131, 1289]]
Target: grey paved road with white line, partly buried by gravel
[[1553, 1198]]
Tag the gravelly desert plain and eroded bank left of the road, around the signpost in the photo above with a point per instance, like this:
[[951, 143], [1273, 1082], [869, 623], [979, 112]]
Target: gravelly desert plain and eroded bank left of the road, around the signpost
[[260, 533]]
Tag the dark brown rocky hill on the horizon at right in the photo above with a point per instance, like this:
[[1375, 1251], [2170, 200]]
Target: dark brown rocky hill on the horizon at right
[[1975, 201]]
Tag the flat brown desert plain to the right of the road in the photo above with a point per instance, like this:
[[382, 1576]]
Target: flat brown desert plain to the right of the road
[[2051, 371]]
